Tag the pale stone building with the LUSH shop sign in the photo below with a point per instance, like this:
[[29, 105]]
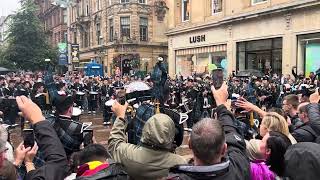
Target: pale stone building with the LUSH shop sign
[[268, 35]]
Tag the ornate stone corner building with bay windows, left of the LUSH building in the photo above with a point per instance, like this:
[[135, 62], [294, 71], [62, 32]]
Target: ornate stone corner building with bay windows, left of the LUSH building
[[124, 34]]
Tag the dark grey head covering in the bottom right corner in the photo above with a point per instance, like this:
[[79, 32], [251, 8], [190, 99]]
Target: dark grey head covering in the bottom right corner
[[302, 161]]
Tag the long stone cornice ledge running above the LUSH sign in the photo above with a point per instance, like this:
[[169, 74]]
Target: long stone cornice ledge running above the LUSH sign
[[241, 17]]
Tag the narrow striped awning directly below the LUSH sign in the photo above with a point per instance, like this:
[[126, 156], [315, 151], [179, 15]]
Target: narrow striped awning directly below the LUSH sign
[[200, 50]]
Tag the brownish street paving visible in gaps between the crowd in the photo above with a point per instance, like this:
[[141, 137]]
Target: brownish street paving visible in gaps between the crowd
[[101, 133]]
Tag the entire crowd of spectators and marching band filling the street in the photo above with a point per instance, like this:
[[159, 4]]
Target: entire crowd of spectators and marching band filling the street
[[260, 128]]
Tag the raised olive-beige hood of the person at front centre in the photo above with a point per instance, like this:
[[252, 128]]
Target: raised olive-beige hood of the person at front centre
[[158, 132]]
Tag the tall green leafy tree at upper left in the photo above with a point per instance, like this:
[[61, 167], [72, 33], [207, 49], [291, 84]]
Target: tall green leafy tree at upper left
[[27, 45]]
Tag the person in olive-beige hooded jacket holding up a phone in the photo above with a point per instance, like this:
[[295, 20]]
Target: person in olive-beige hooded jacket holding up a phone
[[153, 158]]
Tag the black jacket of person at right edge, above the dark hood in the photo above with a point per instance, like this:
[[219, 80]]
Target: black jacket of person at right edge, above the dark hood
[[309, 131]]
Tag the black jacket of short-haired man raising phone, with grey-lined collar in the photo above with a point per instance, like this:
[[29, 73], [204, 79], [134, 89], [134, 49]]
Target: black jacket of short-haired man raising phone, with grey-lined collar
[[235, 166]]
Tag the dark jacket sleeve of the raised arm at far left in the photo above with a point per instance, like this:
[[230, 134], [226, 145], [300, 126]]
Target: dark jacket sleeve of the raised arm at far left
[[55, 167]]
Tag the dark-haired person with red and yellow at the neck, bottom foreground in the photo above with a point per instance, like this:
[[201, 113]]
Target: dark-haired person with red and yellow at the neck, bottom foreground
[[95, 163]]
